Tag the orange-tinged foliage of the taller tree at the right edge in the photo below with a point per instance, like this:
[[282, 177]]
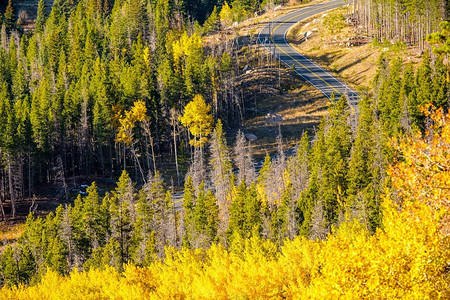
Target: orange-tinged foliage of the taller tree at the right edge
[[423, 170]]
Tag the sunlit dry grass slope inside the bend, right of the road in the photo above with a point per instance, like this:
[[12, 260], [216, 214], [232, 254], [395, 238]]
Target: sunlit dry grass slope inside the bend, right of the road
[[347, 53]]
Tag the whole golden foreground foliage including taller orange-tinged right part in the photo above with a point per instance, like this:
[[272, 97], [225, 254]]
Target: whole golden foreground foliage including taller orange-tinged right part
[[406, 259]]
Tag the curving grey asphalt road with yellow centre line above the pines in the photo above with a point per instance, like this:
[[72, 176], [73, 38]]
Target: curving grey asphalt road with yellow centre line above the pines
[[273, 38]]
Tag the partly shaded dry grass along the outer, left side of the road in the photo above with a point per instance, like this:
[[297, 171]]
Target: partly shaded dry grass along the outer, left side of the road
[[268, 90]]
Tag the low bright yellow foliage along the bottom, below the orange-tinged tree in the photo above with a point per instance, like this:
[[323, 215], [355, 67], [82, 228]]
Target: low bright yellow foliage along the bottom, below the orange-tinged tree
[[349, 265]]
